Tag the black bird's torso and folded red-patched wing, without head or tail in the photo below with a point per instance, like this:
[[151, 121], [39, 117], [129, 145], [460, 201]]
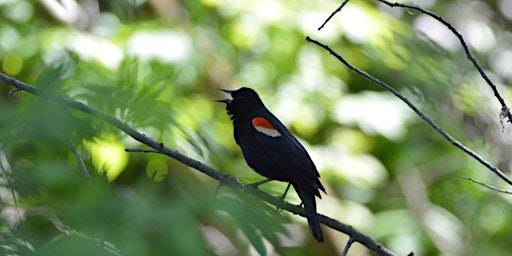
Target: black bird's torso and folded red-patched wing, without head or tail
[[271, 150]]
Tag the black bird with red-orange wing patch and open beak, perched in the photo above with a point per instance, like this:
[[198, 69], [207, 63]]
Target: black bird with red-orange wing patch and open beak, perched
[[272, 151]]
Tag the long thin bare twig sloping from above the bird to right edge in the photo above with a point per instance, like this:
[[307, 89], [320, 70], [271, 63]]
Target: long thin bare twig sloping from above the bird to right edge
[[416, 110]]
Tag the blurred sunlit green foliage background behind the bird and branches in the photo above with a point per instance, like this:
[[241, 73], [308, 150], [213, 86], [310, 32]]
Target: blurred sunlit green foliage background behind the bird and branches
[[157, 65]]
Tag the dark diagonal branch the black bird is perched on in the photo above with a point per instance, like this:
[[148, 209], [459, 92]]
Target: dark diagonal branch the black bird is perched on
[[225, 179]]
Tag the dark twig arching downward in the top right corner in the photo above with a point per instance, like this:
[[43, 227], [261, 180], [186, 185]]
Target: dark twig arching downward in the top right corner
[[504, 108]]
